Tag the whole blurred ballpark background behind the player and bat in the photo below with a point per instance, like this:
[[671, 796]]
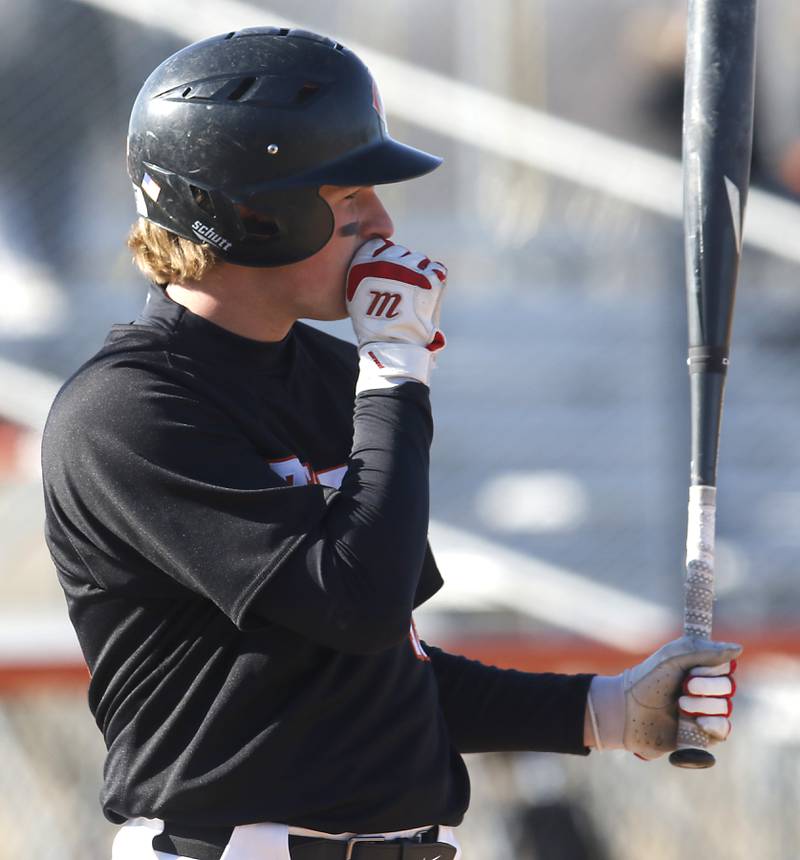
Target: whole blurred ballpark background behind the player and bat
[[559, 469]]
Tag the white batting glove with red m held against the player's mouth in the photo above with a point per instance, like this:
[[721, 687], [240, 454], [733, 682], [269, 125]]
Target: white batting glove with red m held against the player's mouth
[[394, 299]]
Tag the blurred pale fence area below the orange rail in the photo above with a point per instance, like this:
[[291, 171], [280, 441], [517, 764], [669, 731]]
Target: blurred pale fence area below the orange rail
[[610, 806]]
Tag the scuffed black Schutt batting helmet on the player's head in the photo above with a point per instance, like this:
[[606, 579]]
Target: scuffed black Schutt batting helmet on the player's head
[[231, 137]]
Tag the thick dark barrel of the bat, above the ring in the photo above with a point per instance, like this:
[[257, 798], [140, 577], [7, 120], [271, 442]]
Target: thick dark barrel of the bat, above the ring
[[717, 143]]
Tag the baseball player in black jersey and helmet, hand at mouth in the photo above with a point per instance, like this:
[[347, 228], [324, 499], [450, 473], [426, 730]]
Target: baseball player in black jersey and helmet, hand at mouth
[[237, 503]]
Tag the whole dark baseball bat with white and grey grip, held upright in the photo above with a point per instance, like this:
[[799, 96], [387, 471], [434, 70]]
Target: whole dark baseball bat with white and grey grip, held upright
[[717, 148]]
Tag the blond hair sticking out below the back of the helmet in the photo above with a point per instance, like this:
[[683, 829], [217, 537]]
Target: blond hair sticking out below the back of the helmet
[[165, 258]]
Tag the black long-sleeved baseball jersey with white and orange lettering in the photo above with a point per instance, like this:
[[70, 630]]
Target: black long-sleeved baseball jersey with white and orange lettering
[[241, 553]]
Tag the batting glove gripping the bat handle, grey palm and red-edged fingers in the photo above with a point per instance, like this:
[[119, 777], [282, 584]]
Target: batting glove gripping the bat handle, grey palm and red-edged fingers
[[638, 710]]
